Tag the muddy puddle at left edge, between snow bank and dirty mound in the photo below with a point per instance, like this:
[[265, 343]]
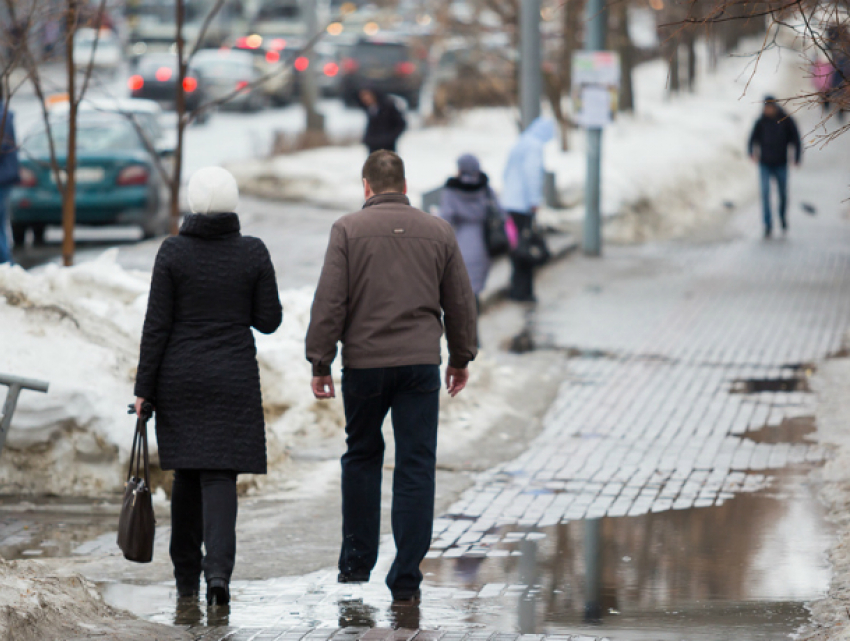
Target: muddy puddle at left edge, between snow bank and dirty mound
[[42, 527]]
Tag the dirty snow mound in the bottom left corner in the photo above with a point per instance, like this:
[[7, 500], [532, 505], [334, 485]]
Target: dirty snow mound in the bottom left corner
[[37, 604]]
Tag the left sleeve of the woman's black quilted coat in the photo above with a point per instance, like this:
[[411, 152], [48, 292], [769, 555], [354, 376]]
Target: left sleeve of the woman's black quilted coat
[[158, 322]]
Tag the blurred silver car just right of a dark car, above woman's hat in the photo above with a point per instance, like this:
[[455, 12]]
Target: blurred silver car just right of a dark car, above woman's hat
[[226, 70]]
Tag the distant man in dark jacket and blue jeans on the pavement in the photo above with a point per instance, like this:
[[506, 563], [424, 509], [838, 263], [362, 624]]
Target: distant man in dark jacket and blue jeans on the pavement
[[772, 134]]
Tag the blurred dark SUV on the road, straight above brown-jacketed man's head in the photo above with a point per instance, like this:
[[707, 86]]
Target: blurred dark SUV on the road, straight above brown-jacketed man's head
[[384, 66]]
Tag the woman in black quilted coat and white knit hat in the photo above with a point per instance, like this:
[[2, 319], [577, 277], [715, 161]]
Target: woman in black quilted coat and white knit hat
[[198, 367]]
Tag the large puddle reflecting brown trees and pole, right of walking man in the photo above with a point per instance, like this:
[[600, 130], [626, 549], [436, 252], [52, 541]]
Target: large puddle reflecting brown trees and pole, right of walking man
[[741, 570]]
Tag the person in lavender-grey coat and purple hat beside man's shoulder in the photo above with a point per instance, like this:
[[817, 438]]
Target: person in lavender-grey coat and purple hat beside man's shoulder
[[464, 203]]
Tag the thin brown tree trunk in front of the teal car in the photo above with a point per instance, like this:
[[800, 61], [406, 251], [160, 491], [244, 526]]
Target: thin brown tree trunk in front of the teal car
[[69, 194]]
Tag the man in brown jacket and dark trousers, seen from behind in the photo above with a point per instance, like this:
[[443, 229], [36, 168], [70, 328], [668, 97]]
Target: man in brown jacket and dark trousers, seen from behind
[[393, 276]]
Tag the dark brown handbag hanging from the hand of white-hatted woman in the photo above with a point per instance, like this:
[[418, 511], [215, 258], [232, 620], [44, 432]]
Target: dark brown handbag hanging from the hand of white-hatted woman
[[136, 525]]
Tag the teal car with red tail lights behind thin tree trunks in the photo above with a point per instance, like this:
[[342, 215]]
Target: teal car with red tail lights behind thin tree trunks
[[117, 182]]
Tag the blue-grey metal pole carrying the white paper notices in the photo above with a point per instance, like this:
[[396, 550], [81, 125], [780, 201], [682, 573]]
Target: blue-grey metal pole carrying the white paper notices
[[597, 24]]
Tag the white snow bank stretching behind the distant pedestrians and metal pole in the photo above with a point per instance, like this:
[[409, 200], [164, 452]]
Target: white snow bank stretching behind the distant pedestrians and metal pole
[[668, 164]]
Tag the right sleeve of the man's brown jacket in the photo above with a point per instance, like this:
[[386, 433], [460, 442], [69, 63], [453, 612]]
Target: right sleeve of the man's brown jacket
[[460, 312]]
